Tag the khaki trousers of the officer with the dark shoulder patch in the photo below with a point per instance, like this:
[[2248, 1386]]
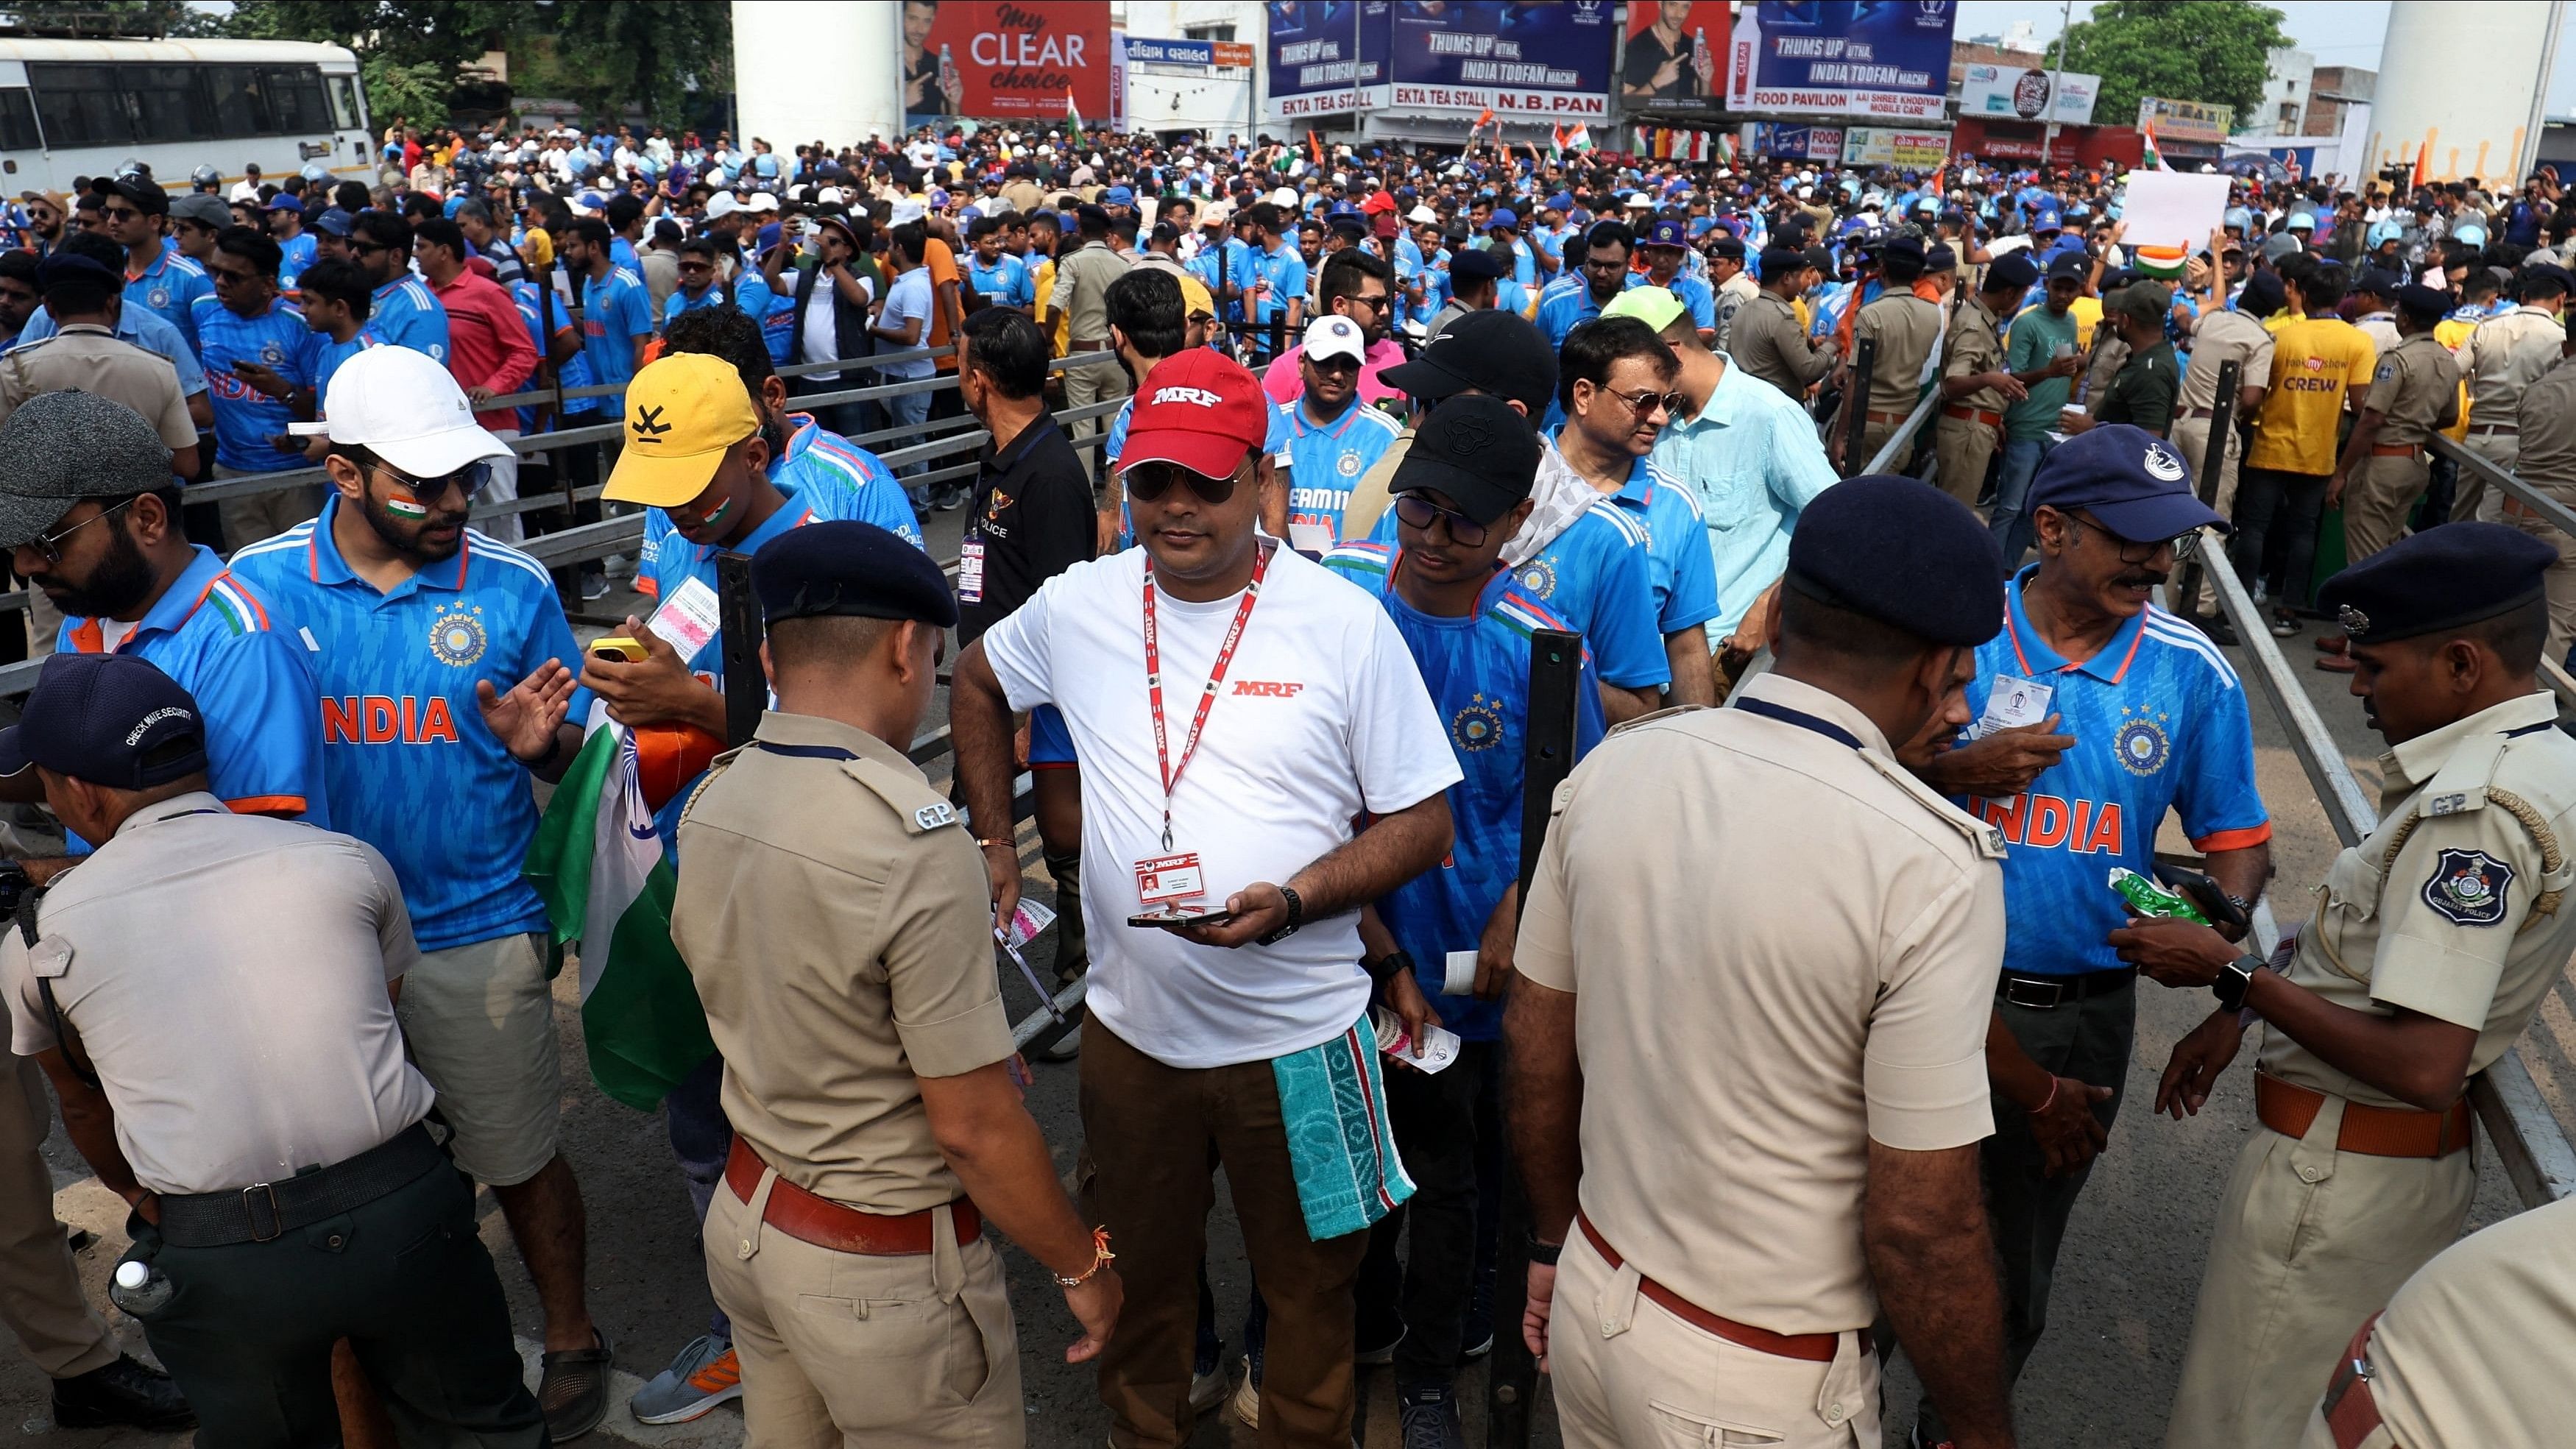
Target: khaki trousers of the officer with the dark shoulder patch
[[2309, 1244]]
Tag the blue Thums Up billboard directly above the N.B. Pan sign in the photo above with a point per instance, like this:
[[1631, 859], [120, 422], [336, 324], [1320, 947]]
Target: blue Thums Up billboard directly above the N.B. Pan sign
[[1513, 58]]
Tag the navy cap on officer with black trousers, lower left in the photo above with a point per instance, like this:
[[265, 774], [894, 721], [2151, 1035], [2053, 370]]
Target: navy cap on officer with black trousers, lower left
[[109, 719]]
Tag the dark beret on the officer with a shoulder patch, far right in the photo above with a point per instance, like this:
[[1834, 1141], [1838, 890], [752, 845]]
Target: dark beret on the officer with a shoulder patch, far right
[[2433, 580]]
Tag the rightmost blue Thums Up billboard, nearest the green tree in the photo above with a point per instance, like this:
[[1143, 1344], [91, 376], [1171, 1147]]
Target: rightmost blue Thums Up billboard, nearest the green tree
[[1843, 58]]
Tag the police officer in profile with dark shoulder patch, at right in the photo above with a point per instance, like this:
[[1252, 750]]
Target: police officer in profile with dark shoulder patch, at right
[[2430, 951]]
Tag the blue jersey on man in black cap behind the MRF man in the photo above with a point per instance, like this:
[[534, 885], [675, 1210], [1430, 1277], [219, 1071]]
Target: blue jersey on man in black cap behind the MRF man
[[1480, 678]]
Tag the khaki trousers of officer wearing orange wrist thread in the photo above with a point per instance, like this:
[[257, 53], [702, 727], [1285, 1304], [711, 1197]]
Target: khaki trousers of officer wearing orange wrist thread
[[864, 1352]]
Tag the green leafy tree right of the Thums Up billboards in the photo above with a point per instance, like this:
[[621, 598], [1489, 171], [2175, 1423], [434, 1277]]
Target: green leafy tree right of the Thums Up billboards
[[2183, 50]]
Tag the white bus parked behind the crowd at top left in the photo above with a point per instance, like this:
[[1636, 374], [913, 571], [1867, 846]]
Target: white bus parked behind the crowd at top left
[[73, 109]]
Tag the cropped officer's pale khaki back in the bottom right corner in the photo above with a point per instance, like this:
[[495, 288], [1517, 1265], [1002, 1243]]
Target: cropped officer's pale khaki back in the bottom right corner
[[2469, 1352]]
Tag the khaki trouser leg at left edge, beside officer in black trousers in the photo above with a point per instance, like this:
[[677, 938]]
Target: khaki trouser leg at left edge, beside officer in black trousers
[[40, 1288]]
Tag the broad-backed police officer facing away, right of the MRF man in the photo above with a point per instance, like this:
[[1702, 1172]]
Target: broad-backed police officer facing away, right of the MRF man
[[1779, 1139]]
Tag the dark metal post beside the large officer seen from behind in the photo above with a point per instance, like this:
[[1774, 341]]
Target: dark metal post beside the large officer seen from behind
[[1547, 758]]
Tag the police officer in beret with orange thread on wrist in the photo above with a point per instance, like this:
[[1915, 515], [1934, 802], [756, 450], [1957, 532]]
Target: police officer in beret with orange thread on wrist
[[836, 920]]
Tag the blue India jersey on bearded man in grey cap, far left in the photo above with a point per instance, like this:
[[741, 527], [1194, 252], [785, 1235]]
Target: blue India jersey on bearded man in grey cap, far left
[[220, 640]]
